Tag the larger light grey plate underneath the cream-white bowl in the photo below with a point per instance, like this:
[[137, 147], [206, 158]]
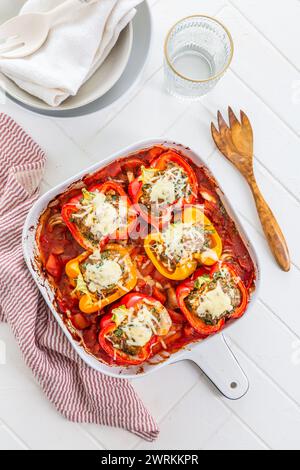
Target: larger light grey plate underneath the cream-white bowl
[[142, 38]]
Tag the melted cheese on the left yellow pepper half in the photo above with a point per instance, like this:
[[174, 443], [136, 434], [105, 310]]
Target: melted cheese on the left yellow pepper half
[[102, 276]]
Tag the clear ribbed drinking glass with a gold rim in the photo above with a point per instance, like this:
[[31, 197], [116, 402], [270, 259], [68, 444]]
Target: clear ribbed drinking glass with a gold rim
[[198, 51]]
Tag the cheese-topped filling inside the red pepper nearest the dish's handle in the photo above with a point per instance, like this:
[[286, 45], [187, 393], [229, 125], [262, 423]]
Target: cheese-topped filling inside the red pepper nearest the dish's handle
[[222, 285]]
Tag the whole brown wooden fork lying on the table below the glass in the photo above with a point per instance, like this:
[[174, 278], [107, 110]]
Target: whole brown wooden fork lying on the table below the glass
[[235, 142]]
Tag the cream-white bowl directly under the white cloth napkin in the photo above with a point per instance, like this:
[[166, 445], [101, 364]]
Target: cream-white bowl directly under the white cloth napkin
[[100, 83]]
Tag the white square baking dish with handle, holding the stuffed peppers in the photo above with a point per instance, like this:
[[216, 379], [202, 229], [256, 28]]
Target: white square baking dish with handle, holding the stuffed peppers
[[212, 355]]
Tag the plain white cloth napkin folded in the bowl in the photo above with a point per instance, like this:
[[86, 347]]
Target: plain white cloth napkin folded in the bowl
[[74, 50]]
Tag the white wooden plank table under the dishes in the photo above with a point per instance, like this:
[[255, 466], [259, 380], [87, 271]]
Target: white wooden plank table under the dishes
[[264, 80]]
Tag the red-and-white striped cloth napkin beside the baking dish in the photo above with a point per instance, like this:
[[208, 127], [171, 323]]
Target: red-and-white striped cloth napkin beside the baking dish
[[78, 392]]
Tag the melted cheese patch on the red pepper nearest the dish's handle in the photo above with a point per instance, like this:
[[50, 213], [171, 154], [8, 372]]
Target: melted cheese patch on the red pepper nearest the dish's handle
[[216, 302]]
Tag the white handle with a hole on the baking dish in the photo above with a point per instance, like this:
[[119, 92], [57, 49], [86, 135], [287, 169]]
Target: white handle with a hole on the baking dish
[[217, 361]]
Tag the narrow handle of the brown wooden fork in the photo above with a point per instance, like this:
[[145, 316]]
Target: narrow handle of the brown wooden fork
[[271, 228]]
